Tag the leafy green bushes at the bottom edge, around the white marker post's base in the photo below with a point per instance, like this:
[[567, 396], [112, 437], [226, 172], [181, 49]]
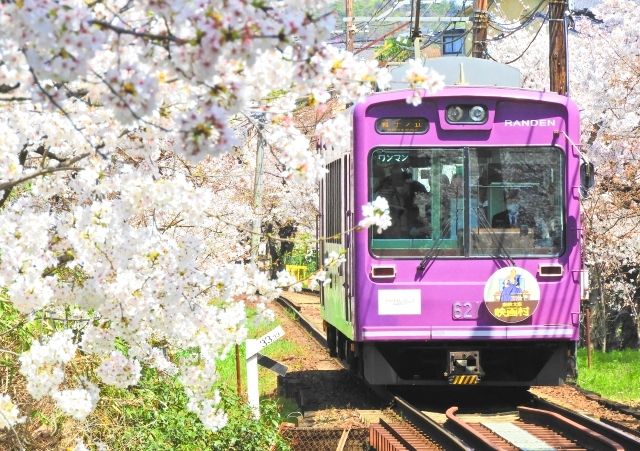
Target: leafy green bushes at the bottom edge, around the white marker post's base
[[153, 416]]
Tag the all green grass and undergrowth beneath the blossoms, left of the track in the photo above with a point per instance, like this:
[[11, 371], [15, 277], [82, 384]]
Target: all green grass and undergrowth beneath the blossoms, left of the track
[[153, 414]]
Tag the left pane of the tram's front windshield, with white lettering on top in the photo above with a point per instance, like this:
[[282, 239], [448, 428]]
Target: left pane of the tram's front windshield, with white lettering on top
[[426, 200]]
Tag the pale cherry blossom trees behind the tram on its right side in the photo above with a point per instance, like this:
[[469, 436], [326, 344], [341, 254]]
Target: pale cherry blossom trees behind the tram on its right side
[[604, 71]]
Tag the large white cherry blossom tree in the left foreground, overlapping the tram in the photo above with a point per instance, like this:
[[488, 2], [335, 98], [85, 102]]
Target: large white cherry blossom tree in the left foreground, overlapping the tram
[[125, 128]]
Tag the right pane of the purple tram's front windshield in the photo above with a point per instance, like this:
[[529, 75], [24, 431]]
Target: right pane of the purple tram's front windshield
[[519, 193]]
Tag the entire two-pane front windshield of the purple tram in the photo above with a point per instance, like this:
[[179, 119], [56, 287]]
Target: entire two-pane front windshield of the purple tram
[[470, 202]]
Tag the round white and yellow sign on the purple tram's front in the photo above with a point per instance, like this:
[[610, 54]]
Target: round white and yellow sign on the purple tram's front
[[511, 294]]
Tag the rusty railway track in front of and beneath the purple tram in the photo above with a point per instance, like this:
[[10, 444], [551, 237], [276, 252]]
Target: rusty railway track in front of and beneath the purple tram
[[541, 425]]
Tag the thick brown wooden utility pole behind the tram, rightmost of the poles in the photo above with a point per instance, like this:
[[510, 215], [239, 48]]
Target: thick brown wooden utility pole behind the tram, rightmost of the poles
[[558, 46]]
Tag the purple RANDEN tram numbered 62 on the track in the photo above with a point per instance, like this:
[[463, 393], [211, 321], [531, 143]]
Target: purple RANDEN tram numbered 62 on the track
[[479, 279]]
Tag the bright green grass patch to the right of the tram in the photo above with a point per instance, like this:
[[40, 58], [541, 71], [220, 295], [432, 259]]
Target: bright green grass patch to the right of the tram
[[613, 375]]
